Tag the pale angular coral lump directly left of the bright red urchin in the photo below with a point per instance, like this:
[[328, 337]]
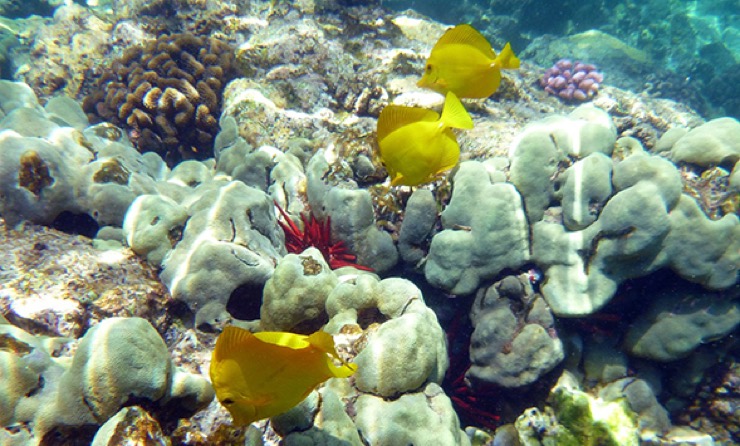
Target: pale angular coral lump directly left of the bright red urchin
[[231, 240]]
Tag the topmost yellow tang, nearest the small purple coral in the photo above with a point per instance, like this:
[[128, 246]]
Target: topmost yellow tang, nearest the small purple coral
[[463, 62]]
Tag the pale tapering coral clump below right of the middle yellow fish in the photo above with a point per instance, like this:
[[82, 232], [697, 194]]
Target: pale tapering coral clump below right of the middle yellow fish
[[485, 231]]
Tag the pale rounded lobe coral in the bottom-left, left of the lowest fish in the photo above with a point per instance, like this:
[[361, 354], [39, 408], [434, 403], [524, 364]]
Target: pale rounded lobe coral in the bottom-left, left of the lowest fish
[[118, 360]]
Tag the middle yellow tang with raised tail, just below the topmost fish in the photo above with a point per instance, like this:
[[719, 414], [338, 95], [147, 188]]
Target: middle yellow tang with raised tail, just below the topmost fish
[[417, 144]]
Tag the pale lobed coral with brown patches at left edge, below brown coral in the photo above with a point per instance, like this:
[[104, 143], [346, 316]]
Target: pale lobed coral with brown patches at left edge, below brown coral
[[53, 163]]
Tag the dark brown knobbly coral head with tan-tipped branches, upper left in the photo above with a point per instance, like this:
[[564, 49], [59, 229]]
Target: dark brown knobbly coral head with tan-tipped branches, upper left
[[167, 94]]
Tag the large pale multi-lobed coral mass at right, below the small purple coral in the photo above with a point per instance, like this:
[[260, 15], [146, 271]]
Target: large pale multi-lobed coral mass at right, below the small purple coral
[[591, 243]]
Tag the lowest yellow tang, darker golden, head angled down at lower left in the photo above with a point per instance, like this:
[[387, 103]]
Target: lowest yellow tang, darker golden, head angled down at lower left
[[261, 375]]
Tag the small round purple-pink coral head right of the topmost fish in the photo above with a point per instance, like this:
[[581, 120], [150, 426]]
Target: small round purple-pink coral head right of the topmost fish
[[572, 81]]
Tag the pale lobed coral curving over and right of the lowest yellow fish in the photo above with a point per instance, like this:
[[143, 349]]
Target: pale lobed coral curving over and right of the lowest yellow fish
[[398, 347]]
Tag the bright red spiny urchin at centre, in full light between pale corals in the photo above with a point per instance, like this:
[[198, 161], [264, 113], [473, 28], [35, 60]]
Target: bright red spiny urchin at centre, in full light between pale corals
[[316, 234]]
